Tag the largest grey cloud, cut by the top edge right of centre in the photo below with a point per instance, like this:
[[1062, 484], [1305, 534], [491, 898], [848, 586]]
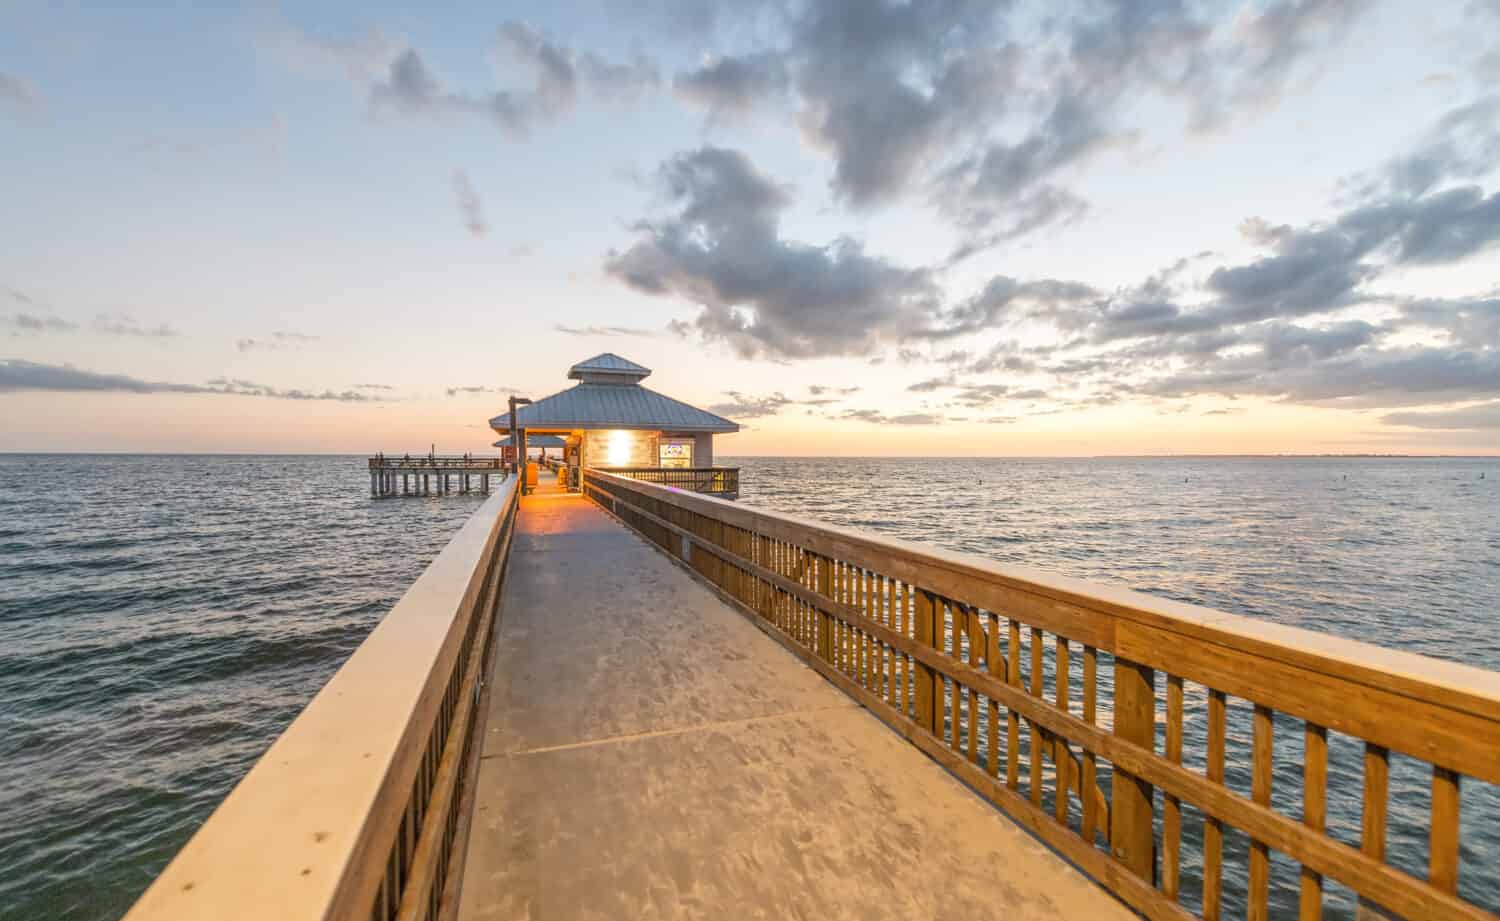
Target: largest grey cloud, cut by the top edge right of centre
[[982, 112]]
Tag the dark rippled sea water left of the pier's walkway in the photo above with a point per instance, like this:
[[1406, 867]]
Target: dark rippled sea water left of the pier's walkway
[[161, 622]]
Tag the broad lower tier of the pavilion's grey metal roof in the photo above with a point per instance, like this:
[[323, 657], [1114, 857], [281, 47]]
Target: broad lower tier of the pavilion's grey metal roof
[[592, 406]]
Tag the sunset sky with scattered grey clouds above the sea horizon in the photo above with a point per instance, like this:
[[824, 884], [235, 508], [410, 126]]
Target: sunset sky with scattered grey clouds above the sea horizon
[[856, 227]]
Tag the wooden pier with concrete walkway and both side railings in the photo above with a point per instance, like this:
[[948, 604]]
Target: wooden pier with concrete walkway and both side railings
[[598, 707]]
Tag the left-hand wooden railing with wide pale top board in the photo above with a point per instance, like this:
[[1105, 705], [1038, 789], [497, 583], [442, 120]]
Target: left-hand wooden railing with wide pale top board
[[358, 809]]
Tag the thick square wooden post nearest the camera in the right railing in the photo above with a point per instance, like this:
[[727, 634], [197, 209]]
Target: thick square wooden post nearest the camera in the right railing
[[1132, 833]]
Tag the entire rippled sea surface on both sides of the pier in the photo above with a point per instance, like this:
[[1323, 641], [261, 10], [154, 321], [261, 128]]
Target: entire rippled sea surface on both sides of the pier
[[163, 619]]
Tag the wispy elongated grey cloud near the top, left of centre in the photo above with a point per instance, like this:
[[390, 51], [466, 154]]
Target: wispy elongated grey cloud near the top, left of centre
[[410, 89]]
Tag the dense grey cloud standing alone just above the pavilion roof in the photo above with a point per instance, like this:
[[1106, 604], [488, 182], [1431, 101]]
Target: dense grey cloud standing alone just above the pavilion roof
[[760, 293]]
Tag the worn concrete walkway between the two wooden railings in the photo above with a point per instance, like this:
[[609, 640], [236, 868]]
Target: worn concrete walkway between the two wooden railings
[[650, 754]]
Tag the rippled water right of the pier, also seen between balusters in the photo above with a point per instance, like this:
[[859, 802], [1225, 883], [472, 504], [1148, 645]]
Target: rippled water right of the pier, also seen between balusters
[[1399, 553]]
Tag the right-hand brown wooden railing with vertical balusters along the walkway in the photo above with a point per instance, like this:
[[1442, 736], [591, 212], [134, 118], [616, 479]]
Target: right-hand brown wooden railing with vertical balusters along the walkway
[[1102, 719]]
